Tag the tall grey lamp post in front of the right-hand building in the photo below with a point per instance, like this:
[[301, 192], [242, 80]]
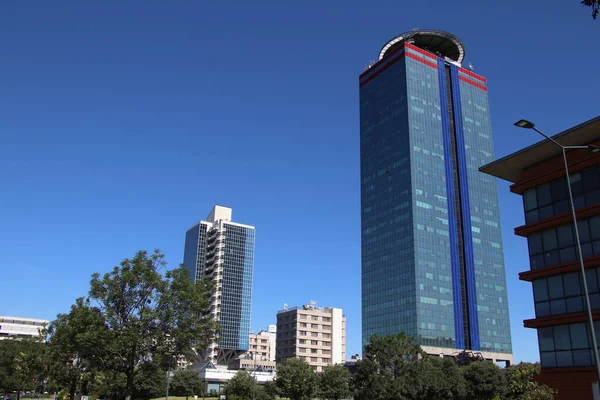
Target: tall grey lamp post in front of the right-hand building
[[594, 149]]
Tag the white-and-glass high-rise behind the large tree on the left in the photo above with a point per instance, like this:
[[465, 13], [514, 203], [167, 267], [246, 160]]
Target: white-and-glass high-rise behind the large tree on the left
[[222, 251]]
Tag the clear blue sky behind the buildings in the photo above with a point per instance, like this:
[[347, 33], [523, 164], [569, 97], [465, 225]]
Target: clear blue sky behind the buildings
[[123, 122]]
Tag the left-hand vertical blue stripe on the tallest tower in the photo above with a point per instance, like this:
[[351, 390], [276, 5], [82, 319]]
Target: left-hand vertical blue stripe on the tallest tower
[[452, 225]]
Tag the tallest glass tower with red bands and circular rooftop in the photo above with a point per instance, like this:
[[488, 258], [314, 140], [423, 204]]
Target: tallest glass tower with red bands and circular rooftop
[[432, 259]]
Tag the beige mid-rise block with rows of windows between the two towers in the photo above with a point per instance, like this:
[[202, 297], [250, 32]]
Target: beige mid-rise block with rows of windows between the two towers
[[317, 335]]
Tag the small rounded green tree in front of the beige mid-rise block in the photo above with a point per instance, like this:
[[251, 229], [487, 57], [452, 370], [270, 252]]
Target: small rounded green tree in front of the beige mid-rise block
[[296, 379]]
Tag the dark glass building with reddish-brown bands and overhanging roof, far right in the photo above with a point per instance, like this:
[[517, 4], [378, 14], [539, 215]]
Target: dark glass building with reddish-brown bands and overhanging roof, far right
[[538, 174]]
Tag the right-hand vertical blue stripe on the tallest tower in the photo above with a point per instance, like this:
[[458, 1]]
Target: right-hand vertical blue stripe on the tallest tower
[[466, 210]]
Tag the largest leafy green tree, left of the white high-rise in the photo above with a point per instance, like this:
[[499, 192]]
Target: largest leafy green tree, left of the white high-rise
[[148, 316]]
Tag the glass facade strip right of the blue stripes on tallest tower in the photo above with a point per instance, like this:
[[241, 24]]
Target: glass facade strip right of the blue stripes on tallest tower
[[488, 256]]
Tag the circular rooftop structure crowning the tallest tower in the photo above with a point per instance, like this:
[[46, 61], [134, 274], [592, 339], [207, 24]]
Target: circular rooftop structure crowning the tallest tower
[[441, 43]]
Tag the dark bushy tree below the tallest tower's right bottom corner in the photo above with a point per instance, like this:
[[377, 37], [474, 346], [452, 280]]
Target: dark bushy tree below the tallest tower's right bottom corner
[[485, 380]]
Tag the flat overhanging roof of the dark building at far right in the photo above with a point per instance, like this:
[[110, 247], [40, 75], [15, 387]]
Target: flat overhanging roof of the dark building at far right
[[509, 167]]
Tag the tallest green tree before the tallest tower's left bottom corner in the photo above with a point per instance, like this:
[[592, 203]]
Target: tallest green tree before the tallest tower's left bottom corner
[[383, 374]]
